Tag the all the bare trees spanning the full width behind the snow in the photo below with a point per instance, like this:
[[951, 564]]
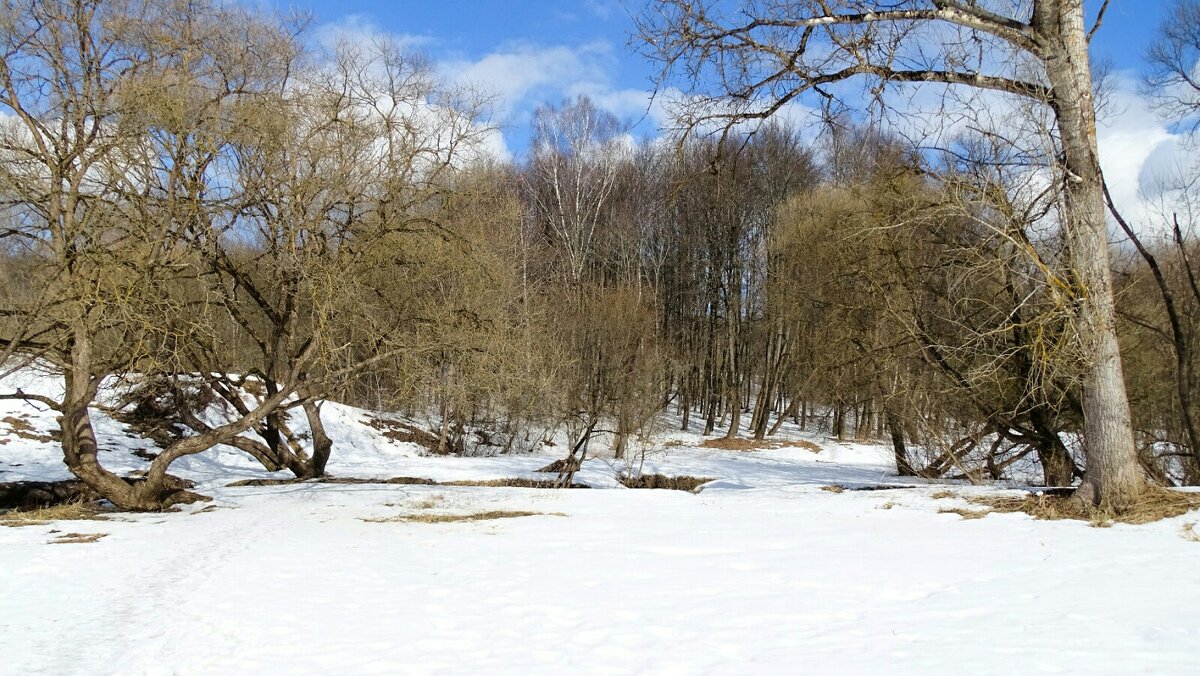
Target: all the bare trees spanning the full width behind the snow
[[206, 206]]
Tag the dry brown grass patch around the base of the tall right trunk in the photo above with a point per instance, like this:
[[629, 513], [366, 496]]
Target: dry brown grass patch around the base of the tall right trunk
[[1155, 505]]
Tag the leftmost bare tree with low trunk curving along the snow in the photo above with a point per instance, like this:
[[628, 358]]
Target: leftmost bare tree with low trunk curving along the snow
[[115, 107]]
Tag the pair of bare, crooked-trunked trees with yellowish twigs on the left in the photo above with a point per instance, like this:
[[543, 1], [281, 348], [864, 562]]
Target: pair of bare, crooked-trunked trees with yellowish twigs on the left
[[196, 198]]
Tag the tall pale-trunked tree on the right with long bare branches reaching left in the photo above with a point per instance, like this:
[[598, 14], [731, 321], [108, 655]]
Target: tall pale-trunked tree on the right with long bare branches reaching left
[[745, 62]]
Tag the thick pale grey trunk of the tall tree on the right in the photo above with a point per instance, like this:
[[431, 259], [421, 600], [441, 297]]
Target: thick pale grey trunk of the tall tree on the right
[[1113, 477]]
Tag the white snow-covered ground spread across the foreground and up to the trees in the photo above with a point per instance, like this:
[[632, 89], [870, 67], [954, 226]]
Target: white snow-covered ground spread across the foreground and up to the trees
[[761, 572]]
